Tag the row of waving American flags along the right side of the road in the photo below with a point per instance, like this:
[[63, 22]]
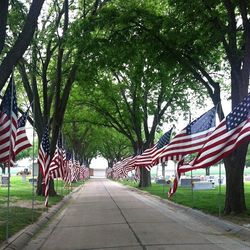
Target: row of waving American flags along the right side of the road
[[207, 143]]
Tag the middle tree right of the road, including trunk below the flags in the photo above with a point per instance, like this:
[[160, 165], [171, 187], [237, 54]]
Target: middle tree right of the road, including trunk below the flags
[[128, 84]]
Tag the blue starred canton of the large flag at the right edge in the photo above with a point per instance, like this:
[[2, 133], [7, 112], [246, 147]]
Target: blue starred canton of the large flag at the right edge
[[239, 114]]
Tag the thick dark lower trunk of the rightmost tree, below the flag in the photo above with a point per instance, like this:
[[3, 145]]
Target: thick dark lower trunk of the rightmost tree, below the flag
[[234, 166]]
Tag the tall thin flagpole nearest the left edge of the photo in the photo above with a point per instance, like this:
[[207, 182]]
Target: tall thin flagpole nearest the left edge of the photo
[[10, 156]]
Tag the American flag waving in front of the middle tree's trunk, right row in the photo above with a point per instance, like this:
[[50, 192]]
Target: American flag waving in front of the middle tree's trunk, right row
[[150, 156]]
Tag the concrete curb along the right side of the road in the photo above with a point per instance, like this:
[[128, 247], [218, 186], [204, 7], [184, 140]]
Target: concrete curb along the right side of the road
[[227, 227]]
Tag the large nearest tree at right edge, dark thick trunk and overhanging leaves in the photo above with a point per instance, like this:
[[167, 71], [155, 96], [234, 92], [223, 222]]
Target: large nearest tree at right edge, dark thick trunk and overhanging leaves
[[206, 38]]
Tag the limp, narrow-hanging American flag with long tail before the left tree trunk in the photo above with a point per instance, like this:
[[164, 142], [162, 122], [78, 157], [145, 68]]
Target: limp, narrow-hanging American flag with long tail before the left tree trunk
[[44, 161]]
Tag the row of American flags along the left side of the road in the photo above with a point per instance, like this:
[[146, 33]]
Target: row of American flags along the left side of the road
[[13, 140]]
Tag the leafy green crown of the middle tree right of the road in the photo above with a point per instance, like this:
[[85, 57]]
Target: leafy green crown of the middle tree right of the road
[[125, 78]]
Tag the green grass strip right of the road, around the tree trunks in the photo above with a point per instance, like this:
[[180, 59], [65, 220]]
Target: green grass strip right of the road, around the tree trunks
[[208, 201]]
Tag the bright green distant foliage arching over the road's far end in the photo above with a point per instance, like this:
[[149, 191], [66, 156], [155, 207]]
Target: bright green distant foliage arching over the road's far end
[[87, 137]]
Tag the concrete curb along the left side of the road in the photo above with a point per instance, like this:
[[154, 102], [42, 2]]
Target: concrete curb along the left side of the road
[[20, 239]]
